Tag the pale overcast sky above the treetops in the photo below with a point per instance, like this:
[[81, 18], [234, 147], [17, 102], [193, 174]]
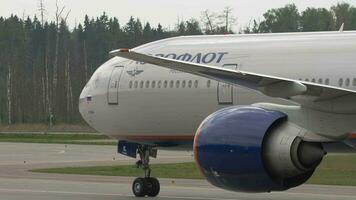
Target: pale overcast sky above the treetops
[[166, 12]]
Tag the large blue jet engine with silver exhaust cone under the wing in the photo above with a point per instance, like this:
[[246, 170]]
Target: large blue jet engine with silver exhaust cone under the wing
[[252, 149]]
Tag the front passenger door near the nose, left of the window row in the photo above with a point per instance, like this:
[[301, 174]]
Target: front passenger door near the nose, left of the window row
[[114, 83]]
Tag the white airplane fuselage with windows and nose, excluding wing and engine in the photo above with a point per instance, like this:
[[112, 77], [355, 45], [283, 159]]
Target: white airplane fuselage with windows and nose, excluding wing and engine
[[137, 101]]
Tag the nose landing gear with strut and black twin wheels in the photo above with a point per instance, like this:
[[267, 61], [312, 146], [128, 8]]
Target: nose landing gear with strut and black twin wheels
[[147, 186]]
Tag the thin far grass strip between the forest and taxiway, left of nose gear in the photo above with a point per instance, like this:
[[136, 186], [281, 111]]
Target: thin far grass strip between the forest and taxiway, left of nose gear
[[90, 139]]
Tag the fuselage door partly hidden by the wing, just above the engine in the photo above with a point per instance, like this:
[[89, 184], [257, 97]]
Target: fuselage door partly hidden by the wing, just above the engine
[[225, 91]]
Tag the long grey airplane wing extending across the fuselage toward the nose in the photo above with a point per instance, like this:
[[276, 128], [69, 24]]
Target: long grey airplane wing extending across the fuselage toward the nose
[[269, 85]]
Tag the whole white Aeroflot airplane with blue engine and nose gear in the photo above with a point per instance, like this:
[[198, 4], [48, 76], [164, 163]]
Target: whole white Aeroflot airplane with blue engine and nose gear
[[257, 110]]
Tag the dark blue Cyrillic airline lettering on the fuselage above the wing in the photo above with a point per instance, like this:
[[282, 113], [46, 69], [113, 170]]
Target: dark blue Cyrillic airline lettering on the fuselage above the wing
[[205, 58]]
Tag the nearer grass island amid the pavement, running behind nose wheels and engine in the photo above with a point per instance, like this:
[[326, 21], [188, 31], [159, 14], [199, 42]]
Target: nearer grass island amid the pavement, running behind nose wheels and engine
[[334, 170]]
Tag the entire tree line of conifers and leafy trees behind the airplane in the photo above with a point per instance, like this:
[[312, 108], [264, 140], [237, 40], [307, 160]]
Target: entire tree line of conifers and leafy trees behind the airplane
[[45, 64]]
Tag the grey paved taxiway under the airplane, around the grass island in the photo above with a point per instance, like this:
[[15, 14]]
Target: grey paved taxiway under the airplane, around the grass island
[[16, 182]]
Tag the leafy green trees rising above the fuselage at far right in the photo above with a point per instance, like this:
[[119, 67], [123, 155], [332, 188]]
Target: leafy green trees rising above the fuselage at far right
[[289, 19]]
